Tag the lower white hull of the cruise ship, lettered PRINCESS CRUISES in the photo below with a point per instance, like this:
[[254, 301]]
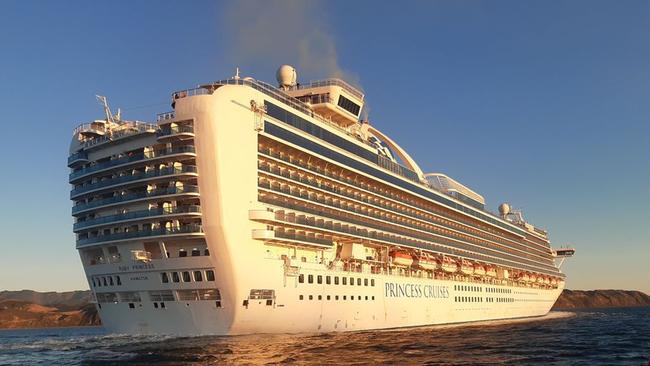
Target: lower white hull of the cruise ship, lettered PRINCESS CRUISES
[[424, 301]]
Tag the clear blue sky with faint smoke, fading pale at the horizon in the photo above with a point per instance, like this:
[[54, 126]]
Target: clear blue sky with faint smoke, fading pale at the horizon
[[545, 105]]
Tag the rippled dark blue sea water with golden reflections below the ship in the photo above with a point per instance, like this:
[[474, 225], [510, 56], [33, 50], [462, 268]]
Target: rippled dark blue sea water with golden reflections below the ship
[[584, 337]]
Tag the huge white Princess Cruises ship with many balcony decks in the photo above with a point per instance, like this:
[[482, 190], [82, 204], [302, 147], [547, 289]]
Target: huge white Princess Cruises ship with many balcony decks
[[250, 208]]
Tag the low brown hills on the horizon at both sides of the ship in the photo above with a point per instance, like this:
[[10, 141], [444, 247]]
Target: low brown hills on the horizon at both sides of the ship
[[32, 309]]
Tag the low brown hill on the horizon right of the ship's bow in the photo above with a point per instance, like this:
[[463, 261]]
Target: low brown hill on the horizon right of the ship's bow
[[576, 299]]
